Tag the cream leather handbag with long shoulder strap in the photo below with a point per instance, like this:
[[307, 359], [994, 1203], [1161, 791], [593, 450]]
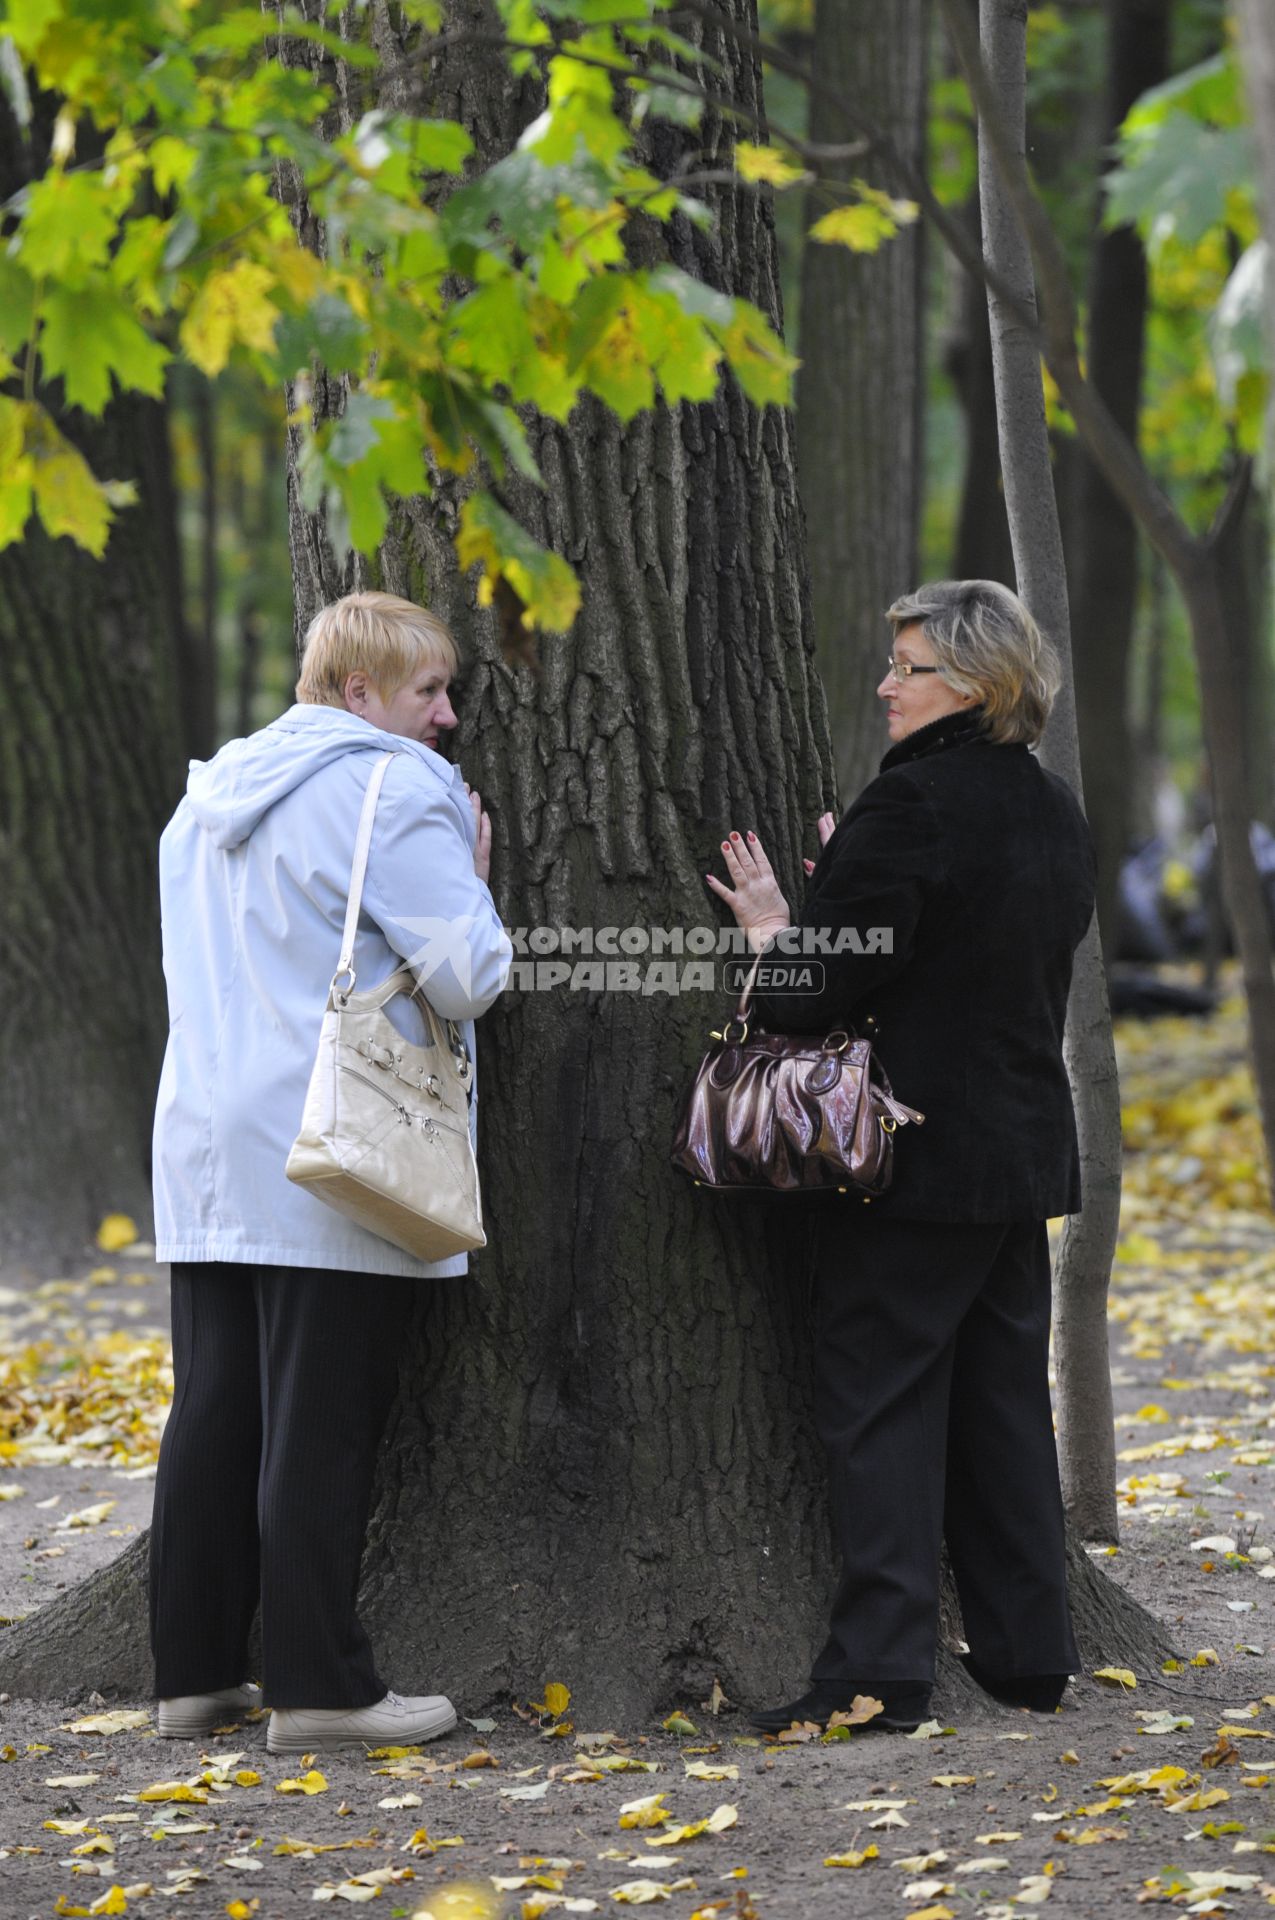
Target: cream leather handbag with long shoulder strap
[[385, 1132]]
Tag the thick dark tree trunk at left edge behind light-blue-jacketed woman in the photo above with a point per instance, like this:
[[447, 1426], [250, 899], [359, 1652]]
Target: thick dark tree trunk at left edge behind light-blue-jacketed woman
[[89, 775]]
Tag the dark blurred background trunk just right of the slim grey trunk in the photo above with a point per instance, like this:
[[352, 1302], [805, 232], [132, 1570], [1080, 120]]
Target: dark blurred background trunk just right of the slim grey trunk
[[1105, 533]]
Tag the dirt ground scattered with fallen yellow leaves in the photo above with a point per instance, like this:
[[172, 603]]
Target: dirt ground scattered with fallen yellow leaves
[[1124, 1796]]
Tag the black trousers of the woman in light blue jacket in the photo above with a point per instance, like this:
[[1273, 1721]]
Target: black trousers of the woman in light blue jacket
[[283, 1385]]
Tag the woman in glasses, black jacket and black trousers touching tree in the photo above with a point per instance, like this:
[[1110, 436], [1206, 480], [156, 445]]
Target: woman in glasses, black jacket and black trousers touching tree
[[934, 1301]]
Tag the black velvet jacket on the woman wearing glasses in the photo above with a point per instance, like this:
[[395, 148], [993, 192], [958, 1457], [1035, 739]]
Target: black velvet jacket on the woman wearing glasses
[[982, 867]]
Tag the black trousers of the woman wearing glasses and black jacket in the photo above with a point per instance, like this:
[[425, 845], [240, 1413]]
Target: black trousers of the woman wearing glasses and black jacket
[[932, 1401]]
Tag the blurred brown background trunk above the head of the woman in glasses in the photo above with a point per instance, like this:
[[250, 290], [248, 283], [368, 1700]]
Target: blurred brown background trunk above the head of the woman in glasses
[[861, 391]]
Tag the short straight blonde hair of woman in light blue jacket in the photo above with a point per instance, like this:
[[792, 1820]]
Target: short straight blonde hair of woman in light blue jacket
[[375, 635]]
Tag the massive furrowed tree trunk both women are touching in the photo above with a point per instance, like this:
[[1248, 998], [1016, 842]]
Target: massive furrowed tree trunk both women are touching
[[600, 1466]]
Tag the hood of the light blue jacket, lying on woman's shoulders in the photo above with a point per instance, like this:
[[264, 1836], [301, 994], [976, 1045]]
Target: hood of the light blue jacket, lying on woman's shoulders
[[235, 790]]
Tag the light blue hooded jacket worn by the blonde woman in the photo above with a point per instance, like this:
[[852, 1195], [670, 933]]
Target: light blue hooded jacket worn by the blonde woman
[[254, 875]]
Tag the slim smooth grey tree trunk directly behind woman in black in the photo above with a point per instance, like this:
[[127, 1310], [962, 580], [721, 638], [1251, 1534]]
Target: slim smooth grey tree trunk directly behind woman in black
[[1086, 1431]]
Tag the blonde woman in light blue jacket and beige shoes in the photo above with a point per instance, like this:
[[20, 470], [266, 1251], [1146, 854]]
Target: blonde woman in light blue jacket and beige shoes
[[287, 1318]]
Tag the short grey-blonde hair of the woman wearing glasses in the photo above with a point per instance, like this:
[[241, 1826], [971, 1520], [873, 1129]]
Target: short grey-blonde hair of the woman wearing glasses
[[986, 644]]
